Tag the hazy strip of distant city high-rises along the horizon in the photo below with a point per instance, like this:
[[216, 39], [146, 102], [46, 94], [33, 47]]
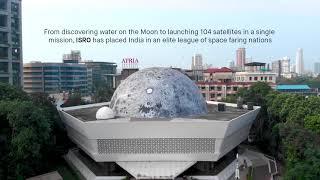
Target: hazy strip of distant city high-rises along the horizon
[[289, 66]]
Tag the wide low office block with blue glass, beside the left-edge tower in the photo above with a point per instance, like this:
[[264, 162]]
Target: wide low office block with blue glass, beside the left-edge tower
[[55, 78]]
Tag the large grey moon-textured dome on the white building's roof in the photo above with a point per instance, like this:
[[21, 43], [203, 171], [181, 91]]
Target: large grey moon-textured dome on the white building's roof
[[158, 93]]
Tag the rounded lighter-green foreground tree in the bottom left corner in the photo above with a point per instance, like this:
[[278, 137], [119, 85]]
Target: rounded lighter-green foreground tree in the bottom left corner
[[28, 132]]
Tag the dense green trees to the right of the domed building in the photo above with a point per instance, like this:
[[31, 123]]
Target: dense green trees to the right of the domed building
[[288, 126]]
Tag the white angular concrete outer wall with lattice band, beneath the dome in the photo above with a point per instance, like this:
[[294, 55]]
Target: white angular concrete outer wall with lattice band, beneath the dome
[[225, 135]]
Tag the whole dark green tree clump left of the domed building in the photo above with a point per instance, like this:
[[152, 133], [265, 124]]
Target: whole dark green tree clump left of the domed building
[[31, 141]]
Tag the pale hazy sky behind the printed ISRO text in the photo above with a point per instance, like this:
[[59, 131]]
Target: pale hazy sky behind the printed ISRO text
[[296, 23]]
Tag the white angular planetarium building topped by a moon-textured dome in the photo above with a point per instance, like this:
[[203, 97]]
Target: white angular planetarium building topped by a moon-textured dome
[[157, 126]]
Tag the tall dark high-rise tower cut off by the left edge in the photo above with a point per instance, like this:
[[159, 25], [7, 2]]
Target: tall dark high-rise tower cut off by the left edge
[[10, 42]]
